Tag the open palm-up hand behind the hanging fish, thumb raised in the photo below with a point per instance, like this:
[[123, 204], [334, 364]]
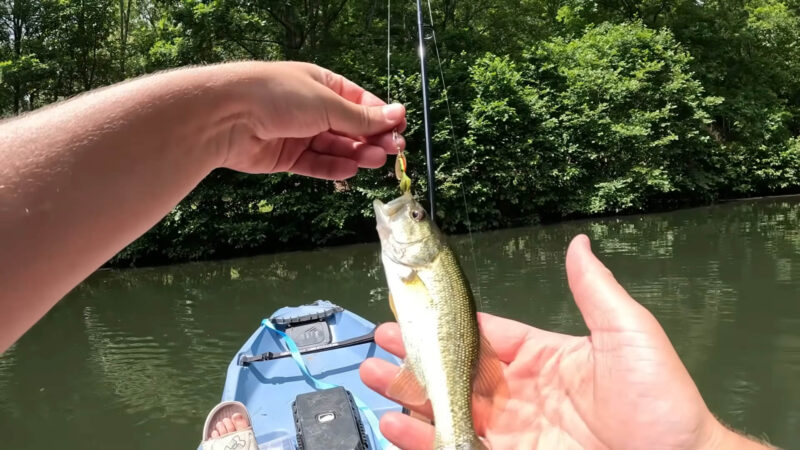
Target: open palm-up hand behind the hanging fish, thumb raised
[[622, 387]]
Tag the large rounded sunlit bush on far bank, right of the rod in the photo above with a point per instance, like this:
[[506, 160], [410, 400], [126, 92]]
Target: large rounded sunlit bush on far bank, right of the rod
[[611, 121]]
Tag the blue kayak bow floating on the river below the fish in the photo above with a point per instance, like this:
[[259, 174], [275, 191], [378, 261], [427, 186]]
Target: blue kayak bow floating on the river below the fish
[[333, 343]]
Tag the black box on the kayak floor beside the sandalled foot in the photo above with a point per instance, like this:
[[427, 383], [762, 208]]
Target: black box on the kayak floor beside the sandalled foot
[[328, 420]]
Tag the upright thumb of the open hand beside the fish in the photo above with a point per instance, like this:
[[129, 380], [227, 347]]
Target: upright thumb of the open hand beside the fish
[[604, 304]]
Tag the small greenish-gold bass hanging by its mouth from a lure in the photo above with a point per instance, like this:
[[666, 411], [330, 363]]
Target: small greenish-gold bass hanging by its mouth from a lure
[[446, 356]]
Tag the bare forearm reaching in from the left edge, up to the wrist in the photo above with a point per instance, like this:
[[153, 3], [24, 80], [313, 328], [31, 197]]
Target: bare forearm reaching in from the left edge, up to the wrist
[[81, 180]]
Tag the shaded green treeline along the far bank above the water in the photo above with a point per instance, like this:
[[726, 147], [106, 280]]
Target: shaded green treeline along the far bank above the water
[[560, 107]]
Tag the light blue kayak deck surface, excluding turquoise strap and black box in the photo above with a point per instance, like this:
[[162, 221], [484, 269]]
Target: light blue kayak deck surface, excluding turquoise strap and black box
[[269, 387]]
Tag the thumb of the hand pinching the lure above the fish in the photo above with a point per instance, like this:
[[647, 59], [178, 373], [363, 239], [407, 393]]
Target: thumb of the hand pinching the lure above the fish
[[356, 120]]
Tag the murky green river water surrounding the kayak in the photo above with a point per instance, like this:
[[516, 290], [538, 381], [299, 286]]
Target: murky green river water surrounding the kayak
[[134, 359]]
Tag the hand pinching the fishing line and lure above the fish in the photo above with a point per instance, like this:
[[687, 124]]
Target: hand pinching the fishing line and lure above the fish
[[304, 119]]
